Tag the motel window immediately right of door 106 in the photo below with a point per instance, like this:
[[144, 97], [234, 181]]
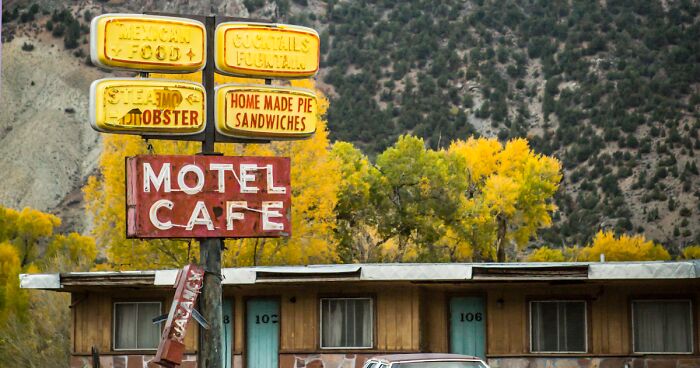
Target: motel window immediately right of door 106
[[558, 326]]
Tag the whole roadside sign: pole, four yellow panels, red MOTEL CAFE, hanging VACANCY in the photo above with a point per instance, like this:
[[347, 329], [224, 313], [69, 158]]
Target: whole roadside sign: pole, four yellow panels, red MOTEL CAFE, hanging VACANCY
[[173, 196]]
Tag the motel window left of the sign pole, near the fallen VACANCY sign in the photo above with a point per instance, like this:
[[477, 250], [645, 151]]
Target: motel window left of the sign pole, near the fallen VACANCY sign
[[133, 326]]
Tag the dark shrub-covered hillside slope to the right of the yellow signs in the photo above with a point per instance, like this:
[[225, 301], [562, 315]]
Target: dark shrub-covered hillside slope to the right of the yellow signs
[[611, 89]]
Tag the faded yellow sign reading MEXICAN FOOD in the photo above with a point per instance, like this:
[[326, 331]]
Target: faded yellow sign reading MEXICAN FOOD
[[147, 43]]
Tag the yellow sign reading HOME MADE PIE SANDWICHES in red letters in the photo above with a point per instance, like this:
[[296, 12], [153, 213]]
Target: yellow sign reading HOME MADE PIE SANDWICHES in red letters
[[265, 112]]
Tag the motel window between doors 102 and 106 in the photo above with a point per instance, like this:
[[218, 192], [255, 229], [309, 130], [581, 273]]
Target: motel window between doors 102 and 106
[[346, 323]]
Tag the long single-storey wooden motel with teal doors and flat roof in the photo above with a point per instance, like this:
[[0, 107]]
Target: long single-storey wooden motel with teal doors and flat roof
[[515, 315]]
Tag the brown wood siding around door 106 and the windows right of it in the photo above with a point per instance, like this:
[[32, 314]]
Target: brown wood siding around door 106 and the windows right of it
[[609, 331]]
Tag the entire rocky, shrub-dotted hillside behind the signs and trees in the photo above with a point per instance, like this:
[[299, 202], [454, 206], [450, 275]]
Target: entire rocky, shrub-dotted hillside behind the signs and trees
[[610, 87]]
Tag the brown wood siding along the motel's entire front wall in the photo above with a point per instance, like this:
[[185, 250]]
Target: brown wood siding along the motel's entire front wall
[[408, 317]]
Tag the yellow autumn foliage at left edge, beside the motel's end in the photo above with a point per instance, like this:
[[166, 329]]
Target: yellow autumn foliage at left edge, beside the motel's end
[[28, 244]]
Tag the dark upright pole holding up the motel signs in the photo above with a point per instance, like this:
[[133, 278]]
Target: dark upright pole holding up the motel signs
[[210, 354]]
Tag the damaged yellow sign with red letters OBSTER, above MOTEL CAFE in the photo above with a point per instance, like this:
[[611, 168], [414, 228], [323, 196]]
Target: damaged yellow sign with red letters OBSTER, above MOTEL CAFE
[[147, 106]]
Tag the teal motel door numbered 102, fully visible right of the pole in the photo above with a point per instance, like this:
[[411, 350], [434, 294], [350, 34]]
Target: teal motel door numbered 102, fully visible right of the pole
[[262, 333]]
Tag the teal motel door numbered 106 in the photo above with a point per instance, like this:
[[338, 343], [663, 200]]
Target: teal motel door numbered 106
[[468, 326]]
